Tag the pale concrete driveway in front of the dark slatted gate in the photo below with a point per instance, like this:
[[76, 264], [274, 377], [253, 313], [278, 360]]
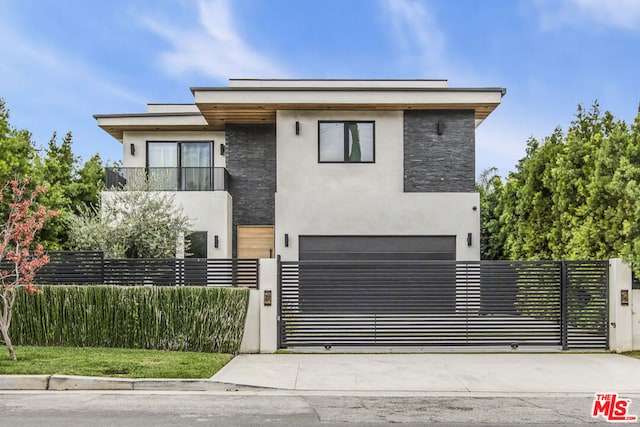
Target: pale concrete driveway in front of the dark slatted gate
[[500, 374]]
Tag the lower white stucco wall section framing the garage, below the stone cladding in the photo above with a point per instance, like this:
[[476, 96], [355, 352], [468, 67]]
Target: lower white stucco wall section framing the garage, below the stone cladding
[[391, 214]]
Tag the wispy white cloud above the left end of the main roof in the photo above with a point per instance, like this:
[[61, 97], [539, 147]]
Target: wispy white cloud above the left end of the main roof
[[212, 48]]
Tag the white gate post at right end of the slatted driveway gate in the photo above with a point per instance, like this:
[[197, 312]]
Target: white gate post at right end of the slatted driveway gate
[[620, 306]]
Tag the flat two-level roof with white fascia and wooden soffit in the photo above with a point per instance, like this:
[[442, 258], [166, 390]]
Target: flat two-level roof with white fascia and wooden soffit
[[255, 101]]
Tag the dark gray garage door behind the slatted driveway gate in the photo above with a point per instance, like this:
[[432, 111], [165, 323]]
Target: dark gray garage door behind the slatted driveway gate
[[347, 274]]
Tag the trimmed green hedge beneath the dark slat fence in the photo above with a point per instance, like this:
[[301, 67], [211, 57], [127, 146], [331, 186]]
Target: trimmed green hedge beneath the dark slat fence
[[163, 318]]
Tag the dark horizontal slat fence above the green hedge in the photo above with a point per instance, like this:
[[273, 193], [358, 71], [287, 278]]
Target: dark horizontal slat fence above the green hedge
[[88, 268]]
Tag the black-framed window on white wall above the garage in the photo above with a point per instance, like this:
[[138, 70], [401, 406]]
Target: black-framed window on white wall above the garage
[[346, 142]]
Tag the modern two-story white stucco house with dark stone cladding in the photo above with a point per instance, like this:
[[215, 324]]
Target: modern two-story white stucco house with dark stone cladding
[[317, 169]]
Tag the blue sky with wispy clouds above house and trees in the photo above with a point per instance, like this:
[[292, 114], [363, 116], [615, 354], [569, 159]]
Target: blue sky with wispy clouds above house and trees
[[63, 61]]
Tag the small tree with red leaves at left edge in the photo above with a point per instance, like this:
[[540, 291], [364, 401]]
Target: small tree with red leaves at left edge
[[20, 258]]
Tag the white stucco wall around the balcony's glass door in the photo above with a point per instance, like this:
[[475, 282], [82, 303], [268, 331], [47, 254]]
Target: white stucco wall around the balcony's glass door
[[140, 138]]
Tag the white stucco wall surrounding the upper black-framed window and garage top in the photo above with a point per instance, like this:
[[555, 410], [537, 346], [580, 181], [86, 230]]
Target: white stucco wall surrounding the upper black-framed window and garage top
[[360, 199]]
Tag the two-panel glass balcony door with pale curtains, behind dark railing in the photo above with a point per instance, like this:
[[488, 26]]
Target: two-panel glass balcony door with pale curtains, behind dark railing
[[180, 165]]
